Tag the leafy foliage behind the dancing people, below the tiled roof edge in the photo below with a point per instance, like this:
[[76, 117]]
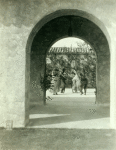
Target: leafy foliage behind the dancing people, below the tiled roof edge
[[84, 64]]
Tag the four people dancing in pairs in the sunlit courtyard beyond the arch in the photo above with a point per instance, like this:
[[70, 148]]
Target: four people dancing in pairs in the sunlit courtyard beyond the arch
[[79, 82]]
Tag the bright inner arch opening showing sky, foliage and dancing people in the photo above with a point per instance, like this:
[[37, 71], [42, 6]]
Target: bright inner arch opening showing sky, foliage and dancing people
[[76, 58]]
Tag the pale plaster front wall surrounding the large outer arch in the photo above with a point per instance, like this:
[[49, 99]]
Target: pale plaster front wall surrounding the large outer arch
[[18, 18]]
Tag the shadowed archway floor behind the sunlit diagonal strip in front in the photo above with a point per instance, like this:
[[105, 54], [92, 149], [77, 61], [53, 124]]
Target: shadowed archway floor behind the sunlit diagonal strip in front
[[65, 109]]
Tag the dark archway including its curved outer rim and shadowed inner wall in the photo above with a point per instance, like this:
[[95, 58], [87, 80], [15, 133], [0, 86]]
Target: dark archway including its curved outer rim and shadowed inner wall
[[56, 26]]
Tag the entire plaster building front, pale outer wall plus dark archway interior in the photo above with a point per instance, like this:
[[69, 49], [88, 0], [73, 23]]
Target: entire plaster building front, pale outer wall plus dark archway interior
[[27, 30]]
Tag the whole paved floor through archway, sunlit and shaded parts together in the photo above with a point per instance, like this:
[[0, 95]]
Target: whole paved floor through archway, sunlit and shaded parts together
[[70, 110]]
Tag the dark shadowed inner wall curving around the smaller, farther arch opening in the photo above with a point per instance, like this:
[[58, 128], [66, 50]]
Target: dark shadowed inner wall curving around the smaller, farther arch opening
[[58, 28]]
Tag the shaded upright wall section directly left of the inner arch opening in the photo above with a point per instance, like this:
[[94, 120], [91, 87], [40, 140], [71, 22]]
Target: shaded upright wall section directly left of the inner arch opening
[[37, 72]]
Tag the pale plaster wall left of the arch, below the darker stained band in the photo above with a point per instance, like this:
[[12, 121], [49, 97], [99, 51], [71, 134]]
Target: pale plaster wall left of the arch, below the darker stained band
[[12, 70]]
